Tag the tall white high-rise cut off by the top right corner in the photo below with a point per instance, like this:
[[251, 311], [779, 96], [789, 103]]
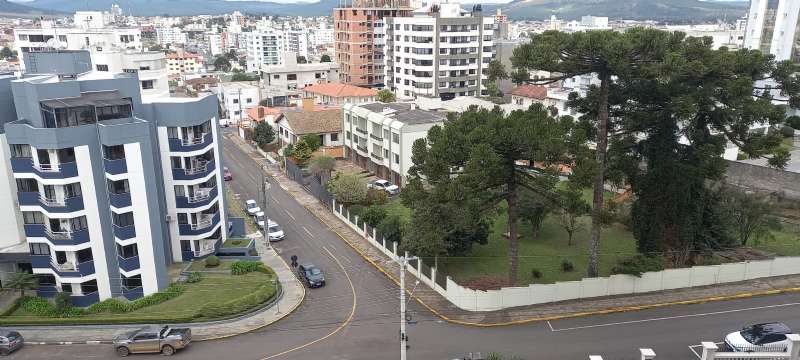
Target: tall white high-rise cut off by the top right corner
[[773, 26]]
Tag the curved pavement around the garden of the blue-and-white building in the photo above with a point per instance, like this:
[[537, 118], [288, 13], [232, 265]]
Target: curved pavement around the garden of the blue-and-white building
[[291, 297]]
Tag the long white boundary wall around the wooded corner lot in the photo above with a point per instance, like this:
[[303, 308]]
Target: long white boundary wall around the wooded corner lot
[[477, 300]]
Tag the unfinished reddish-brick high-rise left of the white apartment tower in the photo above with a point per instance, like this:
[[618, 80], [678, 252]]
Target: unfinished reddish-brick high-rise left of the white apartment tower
[[359, 41]]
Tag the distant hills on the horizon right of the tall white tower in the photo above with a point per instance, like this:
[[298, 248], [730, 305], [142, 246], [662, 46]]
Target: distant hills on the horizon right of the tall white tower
[[682, 11]]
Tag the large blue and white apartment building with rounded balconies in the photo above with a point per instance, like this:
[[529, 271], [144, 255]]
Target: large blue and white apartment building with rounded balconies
[[109, 188]]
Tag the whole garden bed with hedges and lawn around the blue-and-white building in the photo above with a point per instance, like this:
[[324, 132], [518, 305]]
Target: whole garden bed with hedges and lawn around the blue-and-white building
[[204, 296]]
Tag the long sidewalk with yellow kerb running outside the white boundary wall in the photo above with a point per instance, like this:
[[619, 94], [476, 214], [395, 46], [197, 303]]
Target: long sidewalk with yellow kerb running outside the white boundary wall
[[447, 311]]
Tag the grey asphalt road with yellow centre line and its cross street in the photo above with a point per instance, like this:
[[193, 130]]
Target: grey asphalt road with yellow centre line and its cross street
[[332, 323]]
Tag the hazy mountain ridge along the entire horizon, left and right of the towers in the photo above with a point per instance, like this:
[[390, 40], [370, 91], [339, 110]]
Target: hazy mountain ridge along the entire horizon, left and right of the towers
[[684, 11]]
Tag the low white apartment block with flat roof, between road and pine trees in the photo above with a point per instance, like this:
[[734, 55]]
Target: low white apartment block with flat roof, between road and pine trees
[[379, 137]]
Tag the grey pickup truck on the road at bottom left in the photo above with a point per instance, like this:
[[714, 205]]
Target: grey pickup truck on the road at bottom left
[[165, 340]]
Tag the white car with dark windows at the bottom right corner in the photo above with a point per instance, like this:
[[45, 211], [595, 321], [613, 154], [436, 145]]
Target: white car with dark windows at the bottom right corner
[[759, 337]]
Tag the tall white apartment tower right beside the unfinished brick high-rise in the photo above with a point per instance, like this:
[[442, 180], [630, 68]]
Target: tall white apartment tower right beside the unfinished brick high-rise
[[441, 51]]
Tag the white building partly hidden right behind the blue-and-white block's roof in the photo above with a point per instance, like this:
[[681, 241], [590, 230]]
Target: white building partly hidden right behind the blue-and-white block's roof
[[150, 65]]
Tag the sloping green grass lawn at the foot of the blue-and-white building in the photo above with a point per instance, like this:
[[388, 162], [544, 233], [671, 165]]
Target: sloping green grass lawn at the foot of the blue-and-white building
[[212, 289]]
